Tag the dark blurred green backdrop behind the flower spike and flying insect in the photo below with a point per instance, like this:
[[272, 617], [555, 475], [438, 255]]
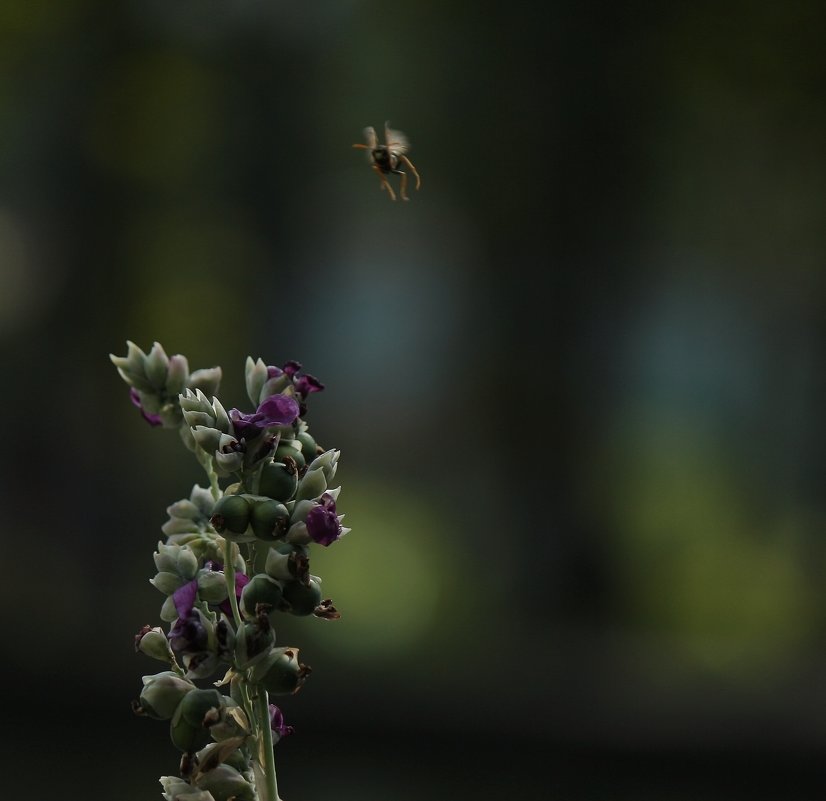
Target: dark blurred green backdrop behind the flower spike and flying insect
[[576, 381]]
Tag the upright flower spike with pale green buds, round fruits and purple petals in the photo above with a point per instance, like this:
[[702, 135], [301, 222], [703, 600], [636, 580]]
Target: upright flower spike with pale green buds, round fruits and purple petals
[[235, 557]]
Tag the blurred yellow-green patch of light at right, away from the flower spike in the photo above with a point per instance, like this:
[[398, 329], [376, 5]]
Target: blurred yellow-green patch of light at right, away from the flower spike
[[698, 565]]
